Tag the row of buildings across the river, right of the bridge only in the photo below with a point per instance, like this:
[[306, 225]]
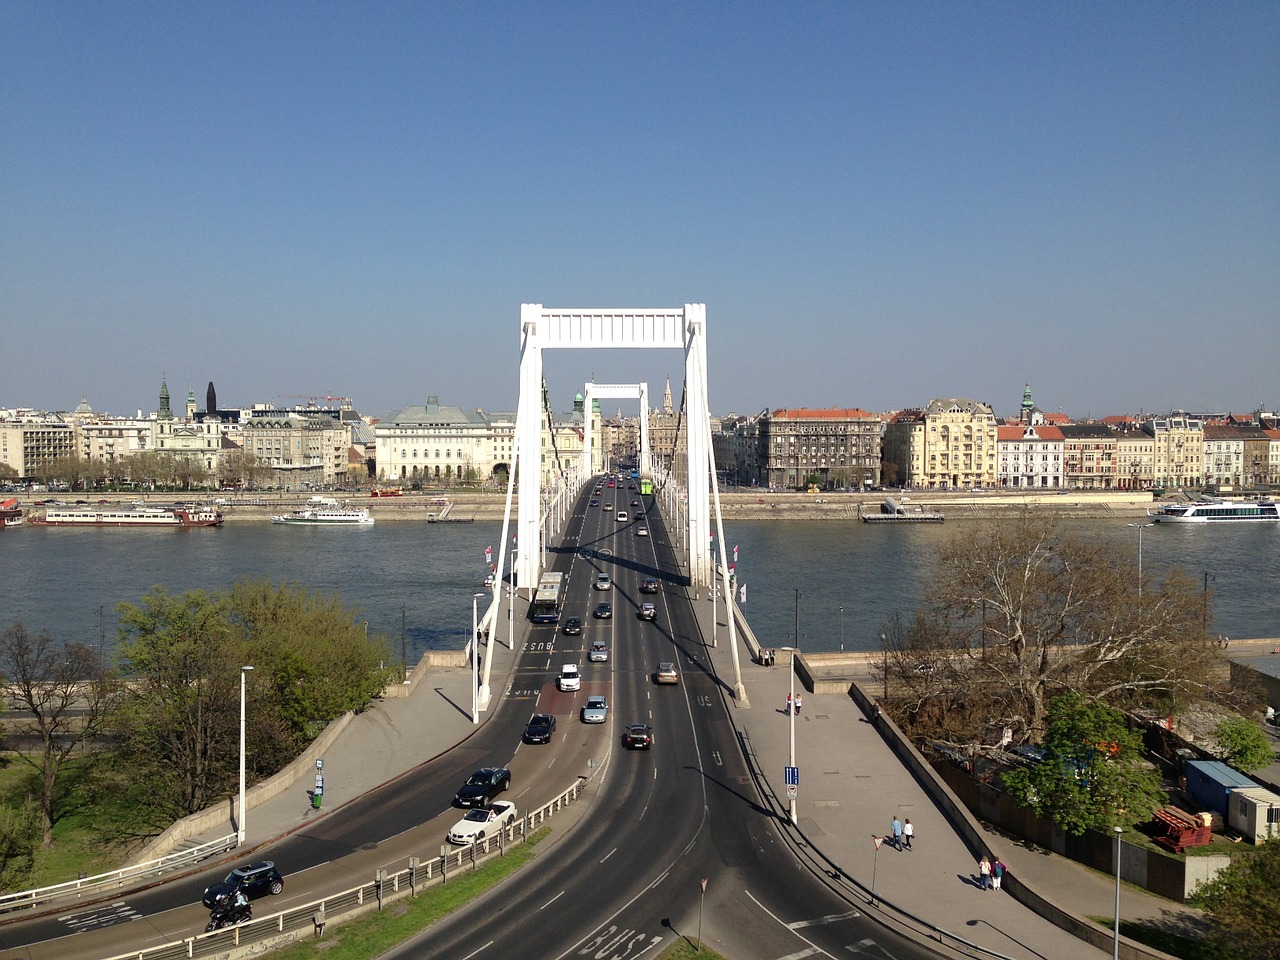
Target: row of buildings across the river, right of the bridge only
[[959, 444]]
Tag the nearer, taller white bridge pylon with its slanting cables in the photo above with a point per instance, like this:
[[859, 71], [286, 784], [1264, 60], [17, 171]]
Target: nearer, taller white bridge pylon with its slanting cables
[[680, 328]]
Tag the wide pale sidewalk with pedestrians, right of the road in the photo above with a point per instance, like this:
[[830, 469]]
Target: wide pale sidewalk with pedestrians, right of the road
[[852, 787]]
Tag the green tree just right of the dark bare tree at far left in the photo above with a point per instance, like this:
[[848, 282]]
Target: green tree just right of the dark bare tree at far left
[[180, 724]]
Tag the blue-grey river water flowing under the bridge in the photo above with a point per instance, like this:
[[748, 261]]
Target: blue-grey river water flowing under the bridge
[[419, 578]]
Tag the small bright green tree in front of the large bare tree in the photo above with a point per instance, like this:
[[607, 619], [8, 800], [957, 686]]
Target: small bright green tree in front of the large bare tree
[[1092, 775]]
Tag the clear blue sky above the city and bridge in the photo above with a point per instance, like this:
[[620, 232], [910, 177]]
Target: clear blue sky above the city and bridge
[[880, 203]]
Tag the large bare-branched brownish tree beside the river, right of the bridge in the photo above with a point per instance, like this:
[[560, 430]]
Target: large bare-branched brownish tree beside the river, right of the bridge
[[1022, 611]]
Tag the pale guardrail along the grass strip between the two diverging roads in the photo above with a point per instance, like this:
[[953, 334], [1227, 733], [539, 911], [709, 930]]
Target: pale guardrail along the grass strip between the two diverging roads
[[388, 886]]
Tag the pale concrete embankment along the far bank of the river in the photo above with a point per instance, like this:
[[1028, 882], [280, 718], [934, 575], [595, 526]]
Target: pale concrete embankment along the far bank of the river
[[838, 508]]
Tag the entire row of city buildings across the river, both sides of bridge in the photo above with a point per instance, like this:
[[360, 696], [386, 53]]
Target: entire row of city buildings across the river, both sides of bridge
[[950, 444]]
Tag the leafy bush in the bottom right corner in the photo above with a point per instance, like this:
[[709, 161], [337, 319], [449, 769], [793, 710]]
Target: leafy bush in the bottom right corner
[[1245, 903]]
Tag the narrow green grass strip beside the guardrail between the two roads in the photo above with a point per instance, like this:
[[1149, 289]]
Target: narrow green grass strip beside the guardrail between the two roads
[[374, 935]]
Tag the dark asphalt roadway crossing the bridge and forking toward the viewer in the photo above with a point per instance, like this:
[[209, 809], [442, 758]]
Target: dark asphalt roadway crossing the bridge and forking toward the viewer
[[620, 875]]
